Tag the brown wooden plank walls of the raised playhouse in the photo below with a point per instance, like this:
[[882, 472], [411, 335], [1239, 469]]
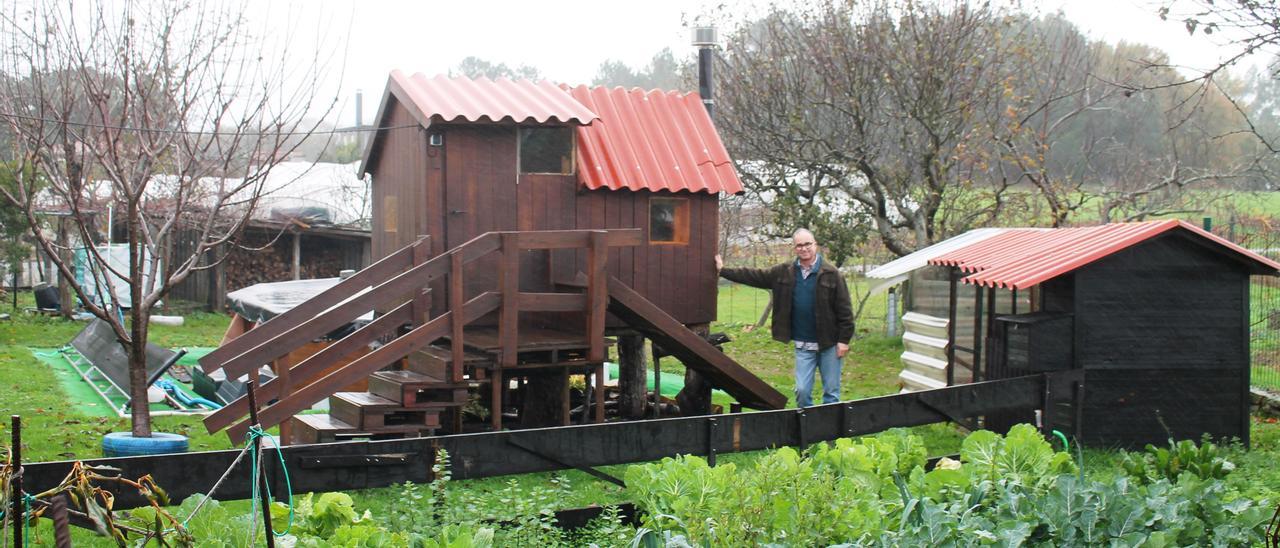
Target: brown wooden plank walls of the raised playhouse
[[413, 195]]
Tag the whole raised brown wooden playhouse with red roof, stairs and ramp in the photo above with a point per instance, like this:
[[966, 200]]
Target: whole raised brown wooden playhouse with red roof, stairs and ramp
[[516, 227]]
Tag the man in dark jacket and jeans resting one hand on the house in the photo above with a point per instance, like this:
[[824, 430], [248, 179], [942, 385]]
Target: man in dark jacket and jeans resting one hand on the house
[[812, 309]]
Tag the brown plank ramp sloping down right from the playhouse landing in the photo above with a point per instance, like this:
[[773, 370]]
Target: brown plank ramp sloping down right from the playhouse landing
[[692, 350]]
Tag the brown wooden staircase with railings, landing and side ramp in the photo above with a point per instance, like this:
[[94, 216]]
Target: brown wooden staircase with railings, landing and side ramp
[[414, 378]]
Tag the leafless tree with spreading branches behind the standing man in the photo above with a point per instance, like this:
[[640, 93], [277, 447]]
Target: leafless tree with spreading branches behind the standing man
[[877, 102]]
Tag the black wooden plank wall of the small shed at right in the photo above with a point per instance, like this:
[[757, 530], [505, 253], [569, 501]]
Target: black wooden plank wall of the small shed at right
[[1162, 331]]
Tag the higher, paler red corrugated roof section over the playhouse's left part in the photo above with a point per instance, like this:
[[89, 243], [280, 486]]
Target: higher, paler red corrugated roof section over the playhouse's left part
[[491, 101]]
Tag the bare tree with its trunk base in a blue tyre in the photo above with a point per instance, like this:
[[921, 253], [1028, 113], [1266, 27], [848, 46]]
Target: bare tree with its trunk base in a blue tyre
[[176, 111]]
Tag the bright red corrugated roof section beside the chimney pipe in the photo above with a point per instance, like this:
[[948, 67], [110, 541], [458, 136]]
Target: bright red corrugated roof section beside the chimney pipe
[[652, 140]]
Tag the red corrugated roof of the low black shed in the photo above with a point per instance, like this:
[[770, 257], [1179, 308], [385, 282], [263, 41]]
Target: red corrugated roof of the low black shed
[[1025, 258]]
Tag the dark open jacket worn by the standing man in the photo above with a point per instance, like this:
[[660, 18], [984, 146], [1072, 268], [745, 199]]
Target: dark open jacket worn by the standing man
[[831, 300]]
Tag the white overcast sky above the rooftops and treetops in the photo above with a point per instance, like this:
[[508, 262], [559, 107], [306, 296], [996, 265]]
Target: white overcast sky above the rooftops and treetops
[[569, 39]]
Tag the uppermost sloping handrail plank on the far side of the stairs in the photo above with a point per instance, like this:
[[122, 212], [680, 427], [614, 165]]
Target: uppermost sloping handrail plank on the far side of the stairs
[[372, 276]]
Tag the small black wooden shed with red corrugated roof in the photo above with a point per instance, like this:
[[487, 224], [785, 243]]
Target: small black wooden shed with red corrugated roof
[[1156, 314]]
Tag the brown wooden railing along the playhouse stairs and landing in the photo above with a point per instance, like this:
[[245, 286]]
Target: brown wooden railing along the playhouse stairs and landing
[[386, 285]]
